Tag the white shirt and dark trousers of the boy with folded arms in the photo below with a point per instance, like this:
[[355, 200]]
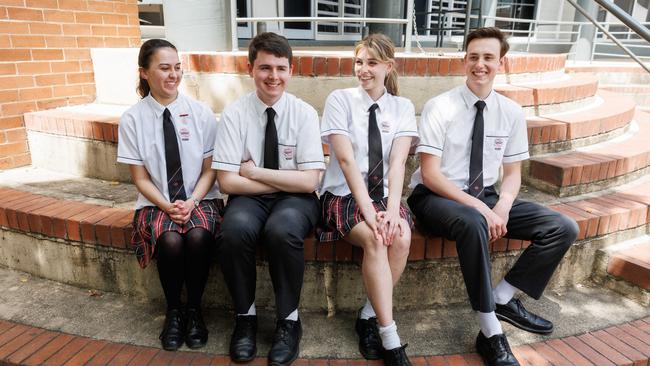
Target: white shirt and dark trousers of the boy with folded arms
[[250, 220]]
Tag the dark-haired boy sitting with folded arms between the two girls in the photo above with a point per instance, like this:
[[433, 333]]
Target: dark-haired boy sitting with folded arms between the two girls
[[268, 157]]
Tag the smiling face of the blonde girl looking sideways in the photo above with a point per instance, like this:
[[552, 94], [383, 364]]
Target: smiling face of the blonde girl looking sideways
[[371, 72]]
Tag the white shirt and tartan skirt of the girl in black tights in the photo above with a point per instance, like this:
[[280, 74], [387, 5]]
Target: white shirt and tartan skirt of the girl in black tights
[[141, 142]]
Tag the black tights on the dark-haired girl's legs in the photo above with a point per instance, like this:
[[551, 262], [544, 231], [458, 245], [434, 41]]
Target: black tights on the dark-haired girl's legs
[[184, 259]]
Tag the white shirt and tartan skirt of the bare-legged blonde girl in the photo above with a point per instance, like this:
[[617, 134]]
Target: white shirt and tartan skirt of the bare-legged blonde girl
[[347, 113]]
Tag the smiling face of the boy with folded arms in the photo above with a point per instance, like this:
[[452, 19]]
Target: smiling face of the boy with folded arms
[[271, 75]]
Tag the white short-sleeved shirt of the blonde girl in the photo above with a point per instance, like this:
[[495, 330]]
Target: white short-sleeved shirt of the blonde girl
[[346, 113]]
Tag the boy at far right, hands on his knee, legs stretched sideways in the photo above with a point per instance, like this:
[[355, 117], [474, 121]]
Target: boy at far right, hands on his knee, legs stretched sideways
[[466, 135]]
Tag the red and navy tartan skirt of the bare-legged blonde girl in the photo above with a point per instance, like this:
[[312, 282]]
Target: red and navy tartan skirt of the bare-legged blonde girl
[[341, 213]]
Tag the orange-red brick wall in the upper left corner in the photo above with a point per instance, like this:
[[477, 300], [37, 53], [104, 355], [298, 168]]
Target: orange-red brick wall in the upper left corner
[[45, 58]]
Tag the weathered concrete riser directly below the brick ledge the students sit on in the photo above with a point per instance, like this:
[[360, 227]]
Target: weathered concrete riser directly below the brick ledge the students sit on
[[424, 283]]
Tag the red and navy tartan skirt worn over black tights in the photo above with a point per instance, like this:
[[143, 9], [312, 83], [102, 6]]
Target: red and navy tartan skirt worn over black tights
[[150, 222]]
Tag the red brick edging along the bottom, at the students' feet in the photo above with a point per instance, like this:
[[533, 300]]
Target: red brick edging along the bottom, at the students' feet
[[623, 344]]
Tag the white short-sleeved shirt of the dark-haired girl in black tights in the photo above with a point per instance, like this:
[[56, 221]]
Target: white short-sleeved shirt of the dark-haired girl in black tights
[[141, 141]]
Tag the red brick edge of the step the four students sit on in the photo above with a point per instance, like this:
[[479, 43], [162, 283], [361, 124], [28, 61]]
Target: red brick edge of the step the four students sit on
[[111, 227]]
